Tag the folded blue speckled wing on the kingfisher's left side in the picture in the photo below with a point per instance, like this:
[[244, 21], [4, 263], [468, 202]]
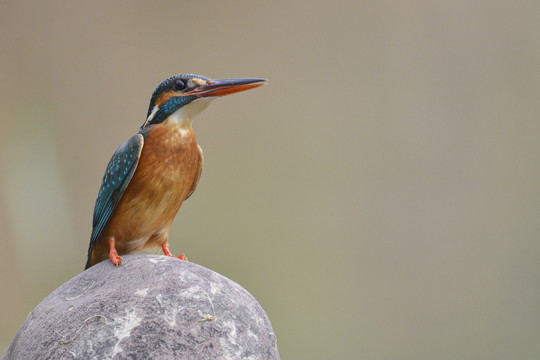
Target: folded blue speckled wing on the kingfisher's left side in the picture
[[115, 181]]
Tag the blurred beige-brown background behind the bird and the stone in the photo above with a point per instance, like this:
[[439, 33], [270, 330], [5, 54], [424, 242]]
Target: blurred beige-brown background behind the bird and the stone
[[380, 196]]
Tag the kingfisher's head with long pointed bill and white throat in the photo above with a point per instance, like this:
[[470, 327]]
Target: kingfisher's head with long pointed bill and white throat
[[182, 97]]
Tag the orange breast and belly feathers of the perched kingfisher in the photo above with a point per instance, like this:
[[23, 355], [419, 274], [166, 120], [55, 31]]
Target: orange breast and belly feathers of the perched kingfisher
[[164, 175]]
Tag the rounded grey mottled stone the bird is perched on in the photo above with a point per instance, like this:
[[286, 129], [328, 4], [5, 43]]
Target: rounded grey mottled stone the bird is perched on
[[152, 307]]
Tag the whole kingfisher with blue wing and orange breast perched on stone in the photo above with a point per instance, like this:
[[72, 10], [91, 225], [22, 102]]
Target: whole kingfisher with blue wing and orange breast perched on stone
[[150, 175]]
